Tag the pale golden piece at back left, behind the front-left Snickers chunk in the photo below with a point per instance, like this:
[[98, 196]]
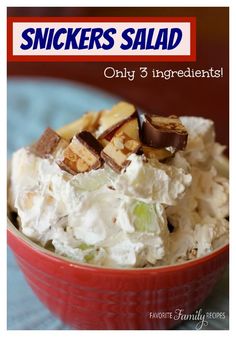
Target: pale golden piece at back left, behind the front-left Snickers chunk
[[88, 122]]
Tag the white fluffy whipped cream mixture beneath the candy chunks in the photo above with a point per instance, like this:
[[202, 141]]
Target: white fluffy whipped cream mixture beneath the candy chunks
[[120, 220]]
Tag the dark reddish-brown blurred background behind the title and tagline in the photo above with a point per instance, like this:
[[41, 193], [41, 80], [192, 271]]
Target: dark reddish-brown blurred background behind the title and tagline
[[206, 97]]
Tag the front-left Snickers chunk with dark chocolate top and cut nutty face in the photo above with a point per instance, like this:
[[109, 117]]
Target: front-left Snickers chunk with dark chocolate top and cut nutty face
[[83, 154]]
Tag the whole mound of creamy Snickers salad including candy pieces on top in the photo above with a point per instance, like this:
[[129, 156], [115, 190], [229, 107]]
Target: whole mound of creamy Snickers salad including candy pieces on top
[[120, 188]]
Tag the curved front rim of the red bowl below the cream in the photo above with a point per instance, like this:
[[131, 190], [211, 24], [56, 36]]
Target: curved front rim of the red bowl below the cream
[[118, 270]]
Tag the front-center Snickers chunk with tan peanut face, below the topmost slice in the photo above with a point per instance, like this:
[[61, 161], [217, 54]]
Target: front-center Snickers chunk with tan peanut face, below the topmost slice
[[116, 153]]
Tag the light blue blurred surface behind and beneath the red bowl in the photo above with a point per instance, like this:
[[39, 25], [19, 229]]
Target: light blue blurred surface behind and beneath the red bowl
[[32, 106]]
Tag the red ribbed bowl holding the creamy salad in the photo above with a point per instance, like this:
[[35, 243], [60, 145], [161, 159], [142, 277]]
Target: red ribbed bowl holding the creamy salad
[[89, 297]]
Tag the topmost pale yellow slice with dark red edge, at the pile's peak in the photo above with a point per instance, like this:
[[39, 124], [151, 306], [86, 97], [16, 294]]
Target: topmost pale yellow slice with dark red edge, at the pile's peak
[[112, 119]]
